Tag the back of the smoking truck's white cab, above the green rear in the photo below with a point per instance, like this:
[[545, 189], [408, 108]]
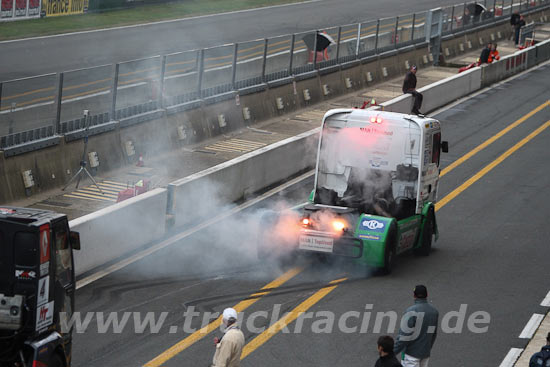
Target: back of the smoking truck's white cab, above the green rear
[[368, 166]]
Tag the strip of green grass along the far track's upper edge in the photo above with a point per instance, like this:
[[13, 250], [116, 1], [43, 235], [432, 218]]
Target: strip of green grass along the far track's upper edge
[[137, 15]]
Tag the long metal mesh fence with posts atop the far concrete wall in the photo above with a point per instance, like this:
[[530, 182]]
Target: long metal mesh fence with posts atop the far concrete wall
[[52, 104]]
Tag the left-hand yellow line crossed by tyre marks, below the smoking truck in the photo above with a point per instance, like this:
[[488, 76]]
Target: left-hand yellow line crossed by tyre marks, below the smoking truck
[[240, 307]]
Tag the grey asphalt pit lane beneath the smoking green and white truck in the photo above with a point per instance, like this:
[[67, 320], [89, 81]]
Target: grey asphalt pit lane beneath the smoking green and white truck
[[490, 256]]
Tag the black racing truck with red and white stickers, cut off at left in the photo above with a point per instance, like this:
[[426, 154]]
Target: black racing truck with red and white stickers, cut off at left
[[37, 287]]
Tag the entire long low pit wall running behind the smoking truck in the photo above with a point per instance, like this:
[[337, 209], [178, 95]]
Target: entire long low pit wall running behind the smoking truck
[[123, 228]]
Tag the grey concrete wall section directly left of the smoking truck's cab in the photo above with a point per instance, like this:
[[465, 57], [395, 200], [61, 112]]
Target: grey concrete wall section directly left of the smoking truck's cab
[[203, 194]]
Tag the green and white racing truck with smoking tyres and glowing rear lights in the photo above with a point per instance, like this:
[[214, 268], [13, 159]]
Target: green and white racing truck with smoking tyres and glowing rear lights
[[374, 194]]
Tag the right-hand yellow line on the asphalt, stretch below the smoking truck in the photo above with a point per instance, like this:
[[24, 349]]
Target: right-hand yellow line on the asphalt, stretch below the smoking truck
[[288, 318]]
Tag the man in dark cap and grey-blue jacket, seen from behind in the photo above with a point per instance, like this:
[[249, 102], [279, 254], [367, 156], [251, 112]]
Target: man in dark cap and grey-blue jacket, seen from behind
[[418, 330]]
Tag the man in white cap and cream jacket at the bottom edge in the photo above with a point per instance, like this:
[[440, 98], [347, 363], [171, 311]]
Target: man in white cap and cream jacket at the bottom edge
[[230, 346]]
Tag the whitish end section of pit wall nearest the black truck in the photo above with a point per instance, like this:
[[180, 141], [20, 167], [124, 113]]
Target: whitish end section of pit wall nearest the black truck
[[119, 229]]
